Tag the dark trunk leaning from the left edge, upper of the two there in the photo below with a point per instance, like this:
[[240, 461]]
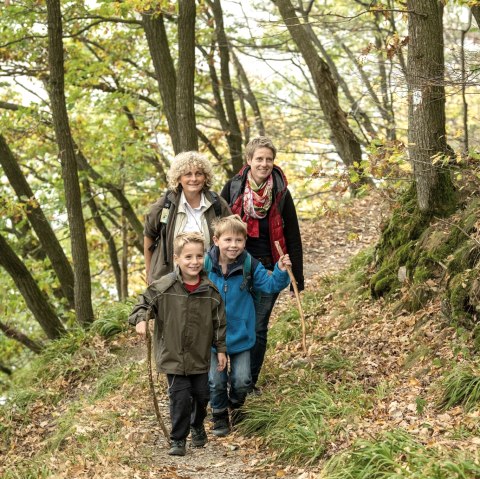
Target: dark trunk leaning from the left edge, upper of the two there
[[39, 222]]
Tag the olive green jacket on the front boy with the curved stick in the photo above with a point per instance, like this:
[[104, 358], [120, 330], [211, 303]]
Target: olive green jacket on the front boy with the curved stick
[[187, 325]]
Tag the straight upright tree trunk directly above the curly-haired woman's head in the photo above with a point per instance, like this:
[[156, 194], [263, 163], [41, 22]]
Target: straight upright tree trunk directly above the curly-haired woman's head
[[187, 128]]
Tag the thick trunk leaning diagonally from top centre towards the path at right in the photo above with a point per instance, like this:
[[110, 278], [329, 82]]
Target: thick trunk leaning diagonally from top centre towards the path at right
[[344, 139]]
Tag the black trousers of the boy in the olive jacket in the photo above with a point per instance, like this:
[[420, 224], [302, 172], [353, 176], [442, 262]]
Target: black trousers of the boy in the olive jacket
[[189, 396]]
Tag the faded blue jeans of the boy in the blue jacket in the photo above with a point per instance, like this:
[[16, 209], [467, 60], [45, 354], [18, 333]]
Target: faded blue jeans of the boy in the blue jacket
[[229, 388]]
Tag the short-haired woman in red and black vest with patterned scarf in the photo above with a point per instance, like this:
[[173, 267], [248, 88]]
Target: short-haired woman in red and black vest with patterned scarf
[[259, 194]]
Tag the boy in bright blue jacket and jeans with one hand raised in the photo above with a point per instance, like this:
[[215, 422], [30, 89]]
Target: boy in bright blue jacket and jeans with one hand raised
[[228, 264]]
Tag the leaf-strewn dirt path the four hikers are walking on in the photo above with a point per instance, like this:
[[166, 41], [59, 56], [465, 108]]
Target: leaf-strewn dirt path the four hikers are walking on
[[329, 243]]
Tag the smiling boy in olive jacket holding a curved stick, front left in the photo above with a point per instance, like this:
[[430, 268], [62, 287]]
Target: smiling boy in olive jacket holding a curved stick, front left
[[189, 319]]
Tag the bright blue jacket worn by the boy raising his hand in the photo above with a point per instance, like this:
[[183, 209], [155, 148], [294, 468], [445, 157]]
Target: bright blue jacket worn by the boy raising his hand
[[238, 299]]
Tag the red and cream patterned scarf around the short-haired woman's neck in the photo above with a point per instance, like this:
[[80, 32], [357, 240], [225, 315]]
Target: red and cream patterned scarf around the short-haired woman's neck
[[256, 203]]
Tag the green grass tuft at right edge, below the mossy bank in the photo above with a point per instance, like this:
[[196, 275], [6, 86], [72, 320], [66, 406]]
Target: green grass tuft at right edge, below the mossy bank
[[461, 387]]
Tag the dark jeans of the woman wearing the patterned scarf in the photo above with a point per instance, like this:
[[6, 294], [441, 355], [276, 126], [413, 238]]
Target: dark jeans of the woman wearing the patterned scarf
[[264, 304]]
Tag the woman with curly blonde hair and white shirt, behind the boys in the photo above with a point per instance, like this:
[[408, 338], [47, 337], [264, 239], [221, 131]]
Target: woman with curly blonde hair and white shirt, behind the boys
[[188, 206]]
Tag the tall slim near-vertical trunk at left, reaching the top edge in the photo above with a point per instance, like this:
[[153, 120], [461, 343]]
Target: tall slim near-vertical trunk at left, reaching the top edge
[[82, 286]]
